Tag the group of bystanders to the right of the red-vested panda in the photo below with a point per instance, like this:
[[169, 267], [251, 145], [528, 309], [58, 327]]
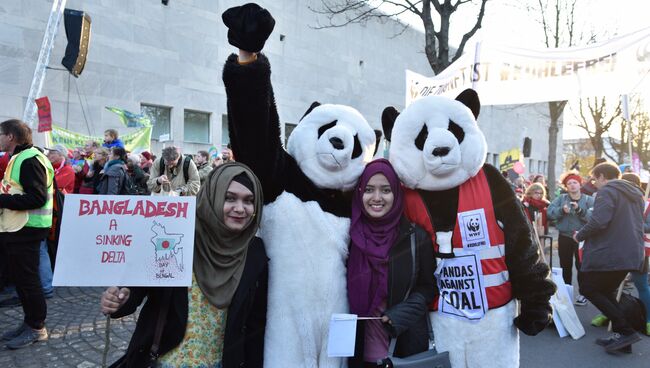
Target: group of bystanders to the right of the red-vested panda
[[614, 225]]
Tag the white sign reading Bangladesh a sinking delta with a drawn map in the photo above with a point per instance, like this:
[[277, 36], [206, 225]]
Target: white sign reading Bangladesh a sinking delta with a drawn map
[[125, 241]]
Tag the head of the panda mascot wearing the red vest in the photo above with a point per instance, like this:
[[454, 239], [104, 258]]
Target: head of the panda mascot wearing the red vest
[[435, 142]]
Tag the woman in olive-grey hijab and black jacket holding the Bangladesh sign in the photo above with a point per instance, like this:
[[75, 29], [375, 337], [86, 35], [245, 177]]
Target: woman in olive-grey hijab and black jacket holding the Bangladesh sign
[[219, 321]]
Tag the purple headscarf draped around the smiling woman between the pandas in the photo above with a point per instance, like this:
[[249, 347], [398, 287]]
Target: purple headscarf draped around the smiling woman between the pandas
[[371, 240]]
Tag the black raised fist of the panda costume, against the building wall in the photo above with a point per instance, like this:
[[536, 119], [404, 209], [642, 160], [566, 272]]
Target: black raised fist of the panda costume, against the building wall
[[249, 26]]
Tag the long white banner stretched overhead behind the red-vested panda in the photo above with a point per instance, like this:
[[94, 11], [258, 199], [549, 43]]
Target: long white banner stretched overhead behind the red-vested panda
[[513, 75]]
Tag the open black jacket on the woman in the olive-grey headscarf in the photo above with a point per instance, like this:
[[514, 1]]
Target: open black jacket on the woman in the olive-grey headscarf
[[245, 323]]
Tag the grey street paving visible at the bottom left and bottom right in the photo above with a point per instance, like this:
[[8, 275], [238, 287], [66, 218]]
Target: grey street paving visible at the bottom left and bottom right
[[77, 331]]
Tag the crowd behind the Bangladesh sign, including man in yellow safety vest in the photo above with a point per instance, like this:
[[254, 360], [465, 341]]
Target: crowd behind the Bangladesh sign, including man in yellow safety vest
[[38, 183]]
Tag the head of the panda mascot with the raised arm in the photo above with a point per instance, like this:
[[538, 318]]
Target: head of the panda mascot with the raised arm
[[332, 144]]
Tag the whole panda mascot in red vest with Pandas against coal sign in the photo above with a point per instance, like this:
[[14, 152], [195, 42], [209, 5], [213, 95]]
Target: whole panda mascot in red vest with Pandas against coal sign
[[486, 255]]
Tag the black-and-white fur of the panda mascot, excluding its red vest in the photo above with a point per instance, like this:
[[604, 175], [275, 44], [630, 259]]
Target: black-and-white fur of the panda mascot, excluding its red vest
[[436, 146]]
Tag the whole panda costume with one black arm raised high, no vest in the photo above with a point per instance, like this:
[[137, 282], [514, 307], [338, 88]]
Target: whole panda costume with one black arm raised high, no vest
[[306, 222]]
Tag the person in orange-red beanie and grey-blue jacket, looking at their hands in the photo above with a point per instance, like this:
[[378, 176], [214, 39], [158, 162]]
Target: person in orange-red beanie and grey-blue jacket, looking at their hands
[[571, 211]]
